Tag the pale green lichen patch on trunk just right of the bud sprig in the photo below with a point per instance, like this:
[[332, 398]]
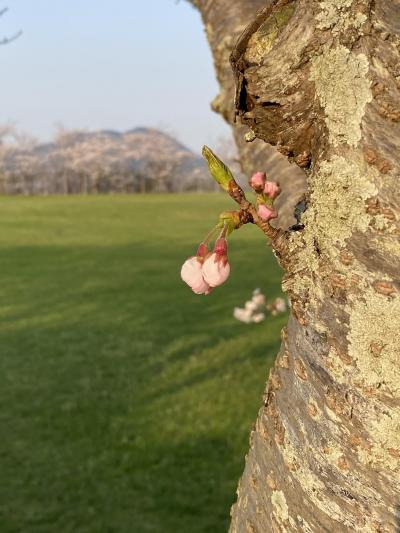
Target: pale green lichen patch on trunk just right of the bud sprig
[[339, 189]]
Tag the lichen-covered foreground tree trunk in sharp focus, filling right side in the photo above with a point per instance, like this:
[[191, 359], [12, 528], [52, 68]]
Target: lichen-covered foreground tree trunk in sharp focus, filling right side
[[320, 80]]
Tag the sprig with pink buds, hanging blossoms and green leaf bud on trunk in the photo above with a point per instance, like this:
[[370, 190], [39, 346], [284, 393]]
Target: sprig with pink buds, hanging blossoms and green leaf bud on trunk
[[207, 270]]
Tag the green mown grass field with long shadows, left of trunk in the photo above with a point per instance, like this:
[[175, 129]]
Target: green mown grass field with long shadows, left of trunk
[[126, 400]]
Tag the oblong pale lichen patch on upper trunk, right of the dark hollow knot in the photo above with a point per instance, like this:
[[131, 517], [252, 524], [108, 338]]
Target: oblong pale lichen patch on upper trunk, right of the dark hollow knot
[[343, 89]]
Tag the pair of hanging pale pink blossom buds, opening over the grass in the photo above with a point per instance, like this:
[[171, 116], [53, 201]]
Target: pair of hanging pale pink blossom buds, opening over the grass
[[206, 270]]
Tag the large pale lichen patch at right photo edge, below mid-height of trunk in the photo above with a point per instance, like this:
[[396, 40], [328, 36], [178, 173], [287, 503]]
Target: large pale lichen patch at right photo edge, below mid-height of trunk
[[375, 348]]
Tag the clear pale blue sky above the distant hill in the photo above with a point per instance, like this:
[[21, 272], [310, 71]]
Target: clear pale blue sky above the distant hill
[[108, 64]]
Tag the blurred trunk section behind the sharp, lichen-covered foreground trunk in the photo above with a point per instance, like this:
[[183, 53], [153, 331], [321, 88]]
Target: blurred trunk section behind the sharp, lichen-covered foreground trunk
[[224, 21]]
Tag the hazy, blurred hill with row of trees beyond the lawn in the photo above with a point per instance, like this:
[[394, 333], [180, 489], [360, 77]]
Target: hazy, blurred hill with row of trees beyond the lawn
[[138, 160]]
